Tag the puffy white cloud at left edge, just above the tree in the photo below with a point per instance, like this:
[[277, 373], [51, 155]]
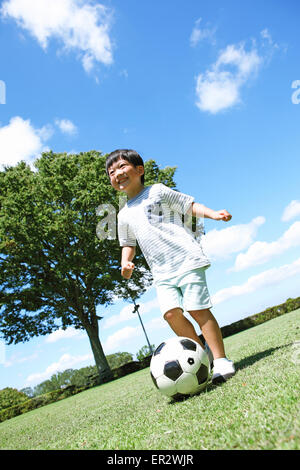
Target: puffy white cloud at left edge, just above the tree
[[19, 140]]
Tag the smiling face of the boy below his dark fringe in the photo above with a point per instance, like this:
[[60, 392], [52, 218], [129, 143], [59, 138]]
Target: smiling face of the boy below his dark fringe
[[124, 176]]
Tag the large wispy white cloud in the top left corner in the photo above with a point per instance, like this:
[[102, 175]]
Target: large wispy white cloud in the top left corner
[[79, 26]]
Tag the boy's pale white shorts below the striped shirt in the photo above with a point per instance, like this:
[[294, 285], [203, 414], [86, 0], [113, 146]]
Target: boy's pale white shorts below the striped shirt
[[187, 291]]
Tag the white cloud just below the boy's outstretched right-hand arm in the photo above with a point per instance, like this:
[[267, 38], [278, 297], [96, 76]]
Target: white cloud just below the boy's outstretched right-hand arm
[[222, 243]]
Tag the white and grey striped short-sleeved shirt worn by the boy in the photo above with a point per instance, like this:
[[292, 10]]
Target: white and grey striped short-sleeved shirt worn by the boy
[[157, 219]]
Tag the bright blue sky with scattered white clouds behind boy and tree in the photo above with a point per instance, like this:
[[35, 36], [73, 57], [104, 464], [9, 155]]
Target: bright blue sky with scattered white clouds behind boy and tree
[[212, 88]]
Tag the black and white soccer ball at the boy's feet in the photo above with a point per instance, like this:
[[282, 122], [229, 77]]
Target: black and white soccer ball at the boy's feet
[[179, 366]]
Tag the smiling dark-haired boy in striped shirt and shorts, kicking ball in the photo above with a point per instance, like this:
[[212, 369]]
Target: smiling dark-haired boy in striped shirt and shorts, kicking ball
[[153, 217]]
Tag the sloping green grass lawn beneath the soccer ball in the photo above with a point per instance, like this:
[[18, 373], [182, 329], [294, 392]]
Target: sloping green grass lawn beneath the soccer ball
[[258, 408]]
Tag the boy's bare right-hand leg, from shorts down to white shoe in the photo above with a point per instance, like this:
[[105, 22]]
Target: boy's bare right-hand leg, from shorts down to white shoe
[[210, 330]]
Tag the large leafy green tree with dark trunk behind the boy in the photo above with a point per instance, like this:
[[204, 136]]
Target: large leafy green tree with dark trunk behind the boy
[[54, 270]]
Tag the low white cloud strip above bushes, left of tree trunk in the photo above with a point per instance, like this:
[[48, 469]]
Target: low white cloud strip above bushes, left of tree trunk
[[66, 361]]
